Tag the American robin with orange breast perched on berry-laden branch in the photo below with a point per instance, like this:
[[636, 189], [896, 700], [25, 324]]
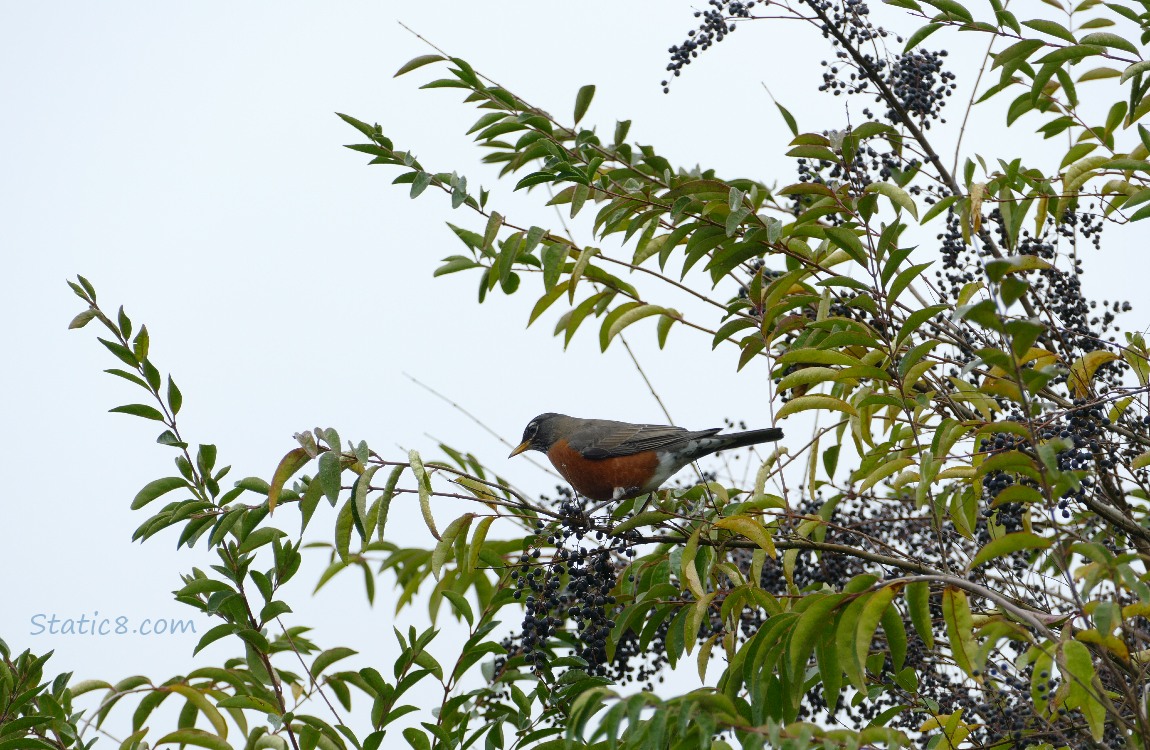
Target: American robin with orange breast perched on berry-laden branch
[[607, 461]]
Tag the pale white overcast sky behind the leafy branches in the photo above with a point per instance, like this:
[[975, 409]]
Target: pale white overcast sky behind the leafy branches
[[186, 159]]
